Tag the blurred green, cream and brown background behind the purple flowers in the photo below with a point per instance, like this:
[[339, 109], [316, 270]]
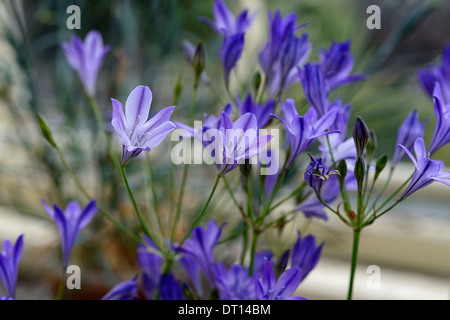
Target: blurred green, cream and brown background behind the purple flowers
[[410, 245]]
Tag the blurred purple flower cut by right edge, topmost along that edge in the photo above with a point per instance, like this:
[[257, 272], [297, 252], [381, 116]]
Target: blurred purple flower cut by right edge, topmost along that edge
[[440, 74]]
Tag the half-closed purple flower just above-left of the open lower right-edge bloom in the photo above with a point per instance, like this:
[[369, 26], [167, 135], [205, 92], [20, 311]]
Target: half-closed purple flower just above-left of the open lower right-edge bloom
[[409, 131]]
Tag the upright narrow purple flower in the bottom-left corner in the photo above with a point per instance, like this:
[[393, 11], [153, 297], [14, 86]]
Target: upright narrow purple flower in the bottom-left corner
[[9, 265]]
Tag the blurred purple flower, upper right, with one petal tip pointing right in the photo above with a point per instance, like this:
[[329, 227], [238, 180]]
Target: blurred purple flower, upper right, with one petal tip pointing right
[[337, 64]]
